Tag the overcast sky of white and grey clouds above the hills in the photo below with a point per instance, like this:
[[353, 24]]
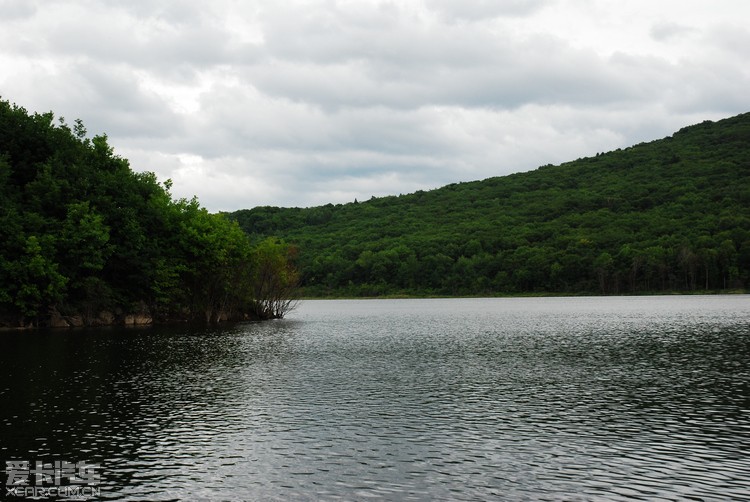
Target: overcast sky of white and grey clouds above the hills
[[300, 103]]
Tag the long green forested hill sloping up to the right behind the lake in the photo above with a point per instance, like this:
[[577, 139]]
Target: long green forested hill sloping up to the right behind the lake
[[669, 215]]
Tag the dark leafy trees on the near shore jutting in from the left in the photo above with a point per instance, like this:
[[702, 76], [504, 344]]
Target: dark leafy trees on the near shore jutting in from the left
[[84, 240]]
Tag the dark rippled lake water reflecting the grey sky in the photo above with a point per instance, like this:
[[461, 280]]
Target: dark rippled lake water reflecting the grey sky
[[516, 399]]
